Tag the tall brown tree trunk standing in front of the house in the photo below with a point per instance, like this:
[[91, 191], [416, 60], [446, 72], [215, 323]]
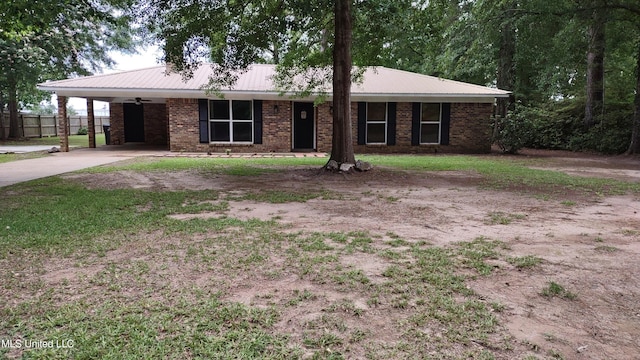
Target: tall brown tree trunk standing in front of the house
[[342, 145]]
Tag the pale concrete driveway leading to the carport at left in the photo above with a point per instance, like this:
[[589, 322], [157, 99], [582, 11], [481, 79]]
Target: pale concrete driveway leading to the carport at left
[[59, 163]]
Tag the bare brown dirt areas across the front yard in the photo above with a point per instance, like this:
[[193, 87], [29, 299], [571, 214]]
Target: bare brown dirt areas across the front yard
[[588, 245]]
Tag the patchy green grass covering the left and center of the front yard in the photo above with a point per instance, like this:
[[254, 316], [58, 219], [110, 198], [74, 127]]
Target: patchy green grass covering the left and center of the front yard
[[129, 307]]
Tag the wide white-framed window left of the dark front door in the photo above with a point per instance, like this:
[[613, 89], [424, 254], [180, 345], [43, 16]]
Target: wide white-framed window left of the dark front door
[[231, 121]]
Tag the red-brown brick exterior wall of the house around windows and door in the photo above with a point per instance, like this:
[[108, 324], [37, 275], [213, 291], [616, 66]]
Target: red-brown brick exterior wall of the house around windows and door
[[469, 128]]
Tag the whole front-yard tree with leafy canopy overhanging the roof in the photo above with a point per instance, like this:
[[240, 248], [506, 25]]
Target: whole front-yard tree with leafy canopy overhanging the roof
[[304, 38]]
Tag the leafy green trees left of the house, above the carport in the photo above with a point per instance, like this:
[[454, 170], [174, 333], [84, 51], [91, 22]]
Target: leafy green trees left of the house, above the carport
[[55, 39]]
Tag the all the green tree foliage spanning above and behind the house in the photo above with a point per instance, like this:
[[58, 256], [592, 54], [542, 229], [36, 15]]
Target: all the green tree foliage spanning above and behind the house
[[572, 65]]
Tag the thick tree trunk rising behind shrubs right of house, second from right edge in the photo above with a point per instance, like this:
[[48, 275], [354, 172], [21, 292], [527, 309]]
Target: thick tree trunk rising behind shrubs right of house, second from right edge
[[595, 68]]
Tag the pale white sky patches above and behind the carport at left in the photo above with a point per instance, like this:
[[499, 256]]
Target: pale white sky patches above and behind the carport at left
[[146, 57]]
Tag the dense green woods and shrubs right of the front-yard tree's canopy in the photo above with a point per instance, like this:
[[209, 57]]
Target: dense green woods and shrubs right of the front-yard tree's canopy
[[535, 49]]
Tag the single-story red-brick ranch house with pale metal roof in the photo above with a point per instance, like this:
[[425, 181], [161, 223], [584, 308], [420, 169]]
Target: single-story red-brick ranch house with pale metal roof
[[393, 111]]
